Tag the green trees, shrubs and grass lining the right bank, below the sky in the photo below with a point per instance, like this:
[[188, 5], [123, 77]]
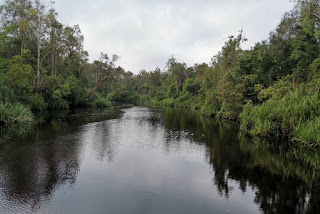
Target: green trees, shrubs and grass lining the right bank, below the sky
[[273, 88]]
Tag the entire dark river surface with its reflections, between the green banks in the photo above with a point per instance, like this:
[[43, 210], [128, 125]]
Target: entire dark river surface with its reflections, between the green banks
[[152, 161]]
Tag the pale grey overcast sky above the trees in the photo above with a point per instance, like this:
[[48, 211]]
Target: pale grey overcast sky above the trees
[[145, 33]]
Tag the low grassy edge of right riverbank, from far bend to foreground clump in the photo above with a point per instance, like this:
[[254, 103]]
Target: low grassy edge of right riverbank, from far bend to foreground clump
[[295, 117]]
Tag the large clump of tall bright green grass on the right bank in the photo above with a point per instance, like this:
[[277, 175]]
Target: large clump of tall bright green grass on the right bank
[[295, 115]]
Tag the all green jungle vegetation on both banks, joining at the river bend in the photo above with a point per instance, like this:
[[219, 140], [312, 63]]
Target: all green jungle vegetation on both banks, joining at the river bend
[[273, 89]]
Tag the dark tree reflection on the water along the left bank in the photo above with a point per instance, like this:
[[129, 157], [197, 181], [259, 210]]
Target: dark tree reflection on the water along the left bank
[[34, 165]]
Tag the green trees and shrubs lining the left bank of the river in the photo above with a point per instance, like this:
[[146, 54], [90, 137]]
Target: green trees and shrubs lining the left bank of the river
[[43, 64]]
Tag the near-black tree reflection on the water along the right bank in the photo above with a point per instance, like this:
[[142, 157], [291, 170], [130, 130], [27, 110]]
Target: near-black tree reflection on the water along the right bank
[[285, 179]]
